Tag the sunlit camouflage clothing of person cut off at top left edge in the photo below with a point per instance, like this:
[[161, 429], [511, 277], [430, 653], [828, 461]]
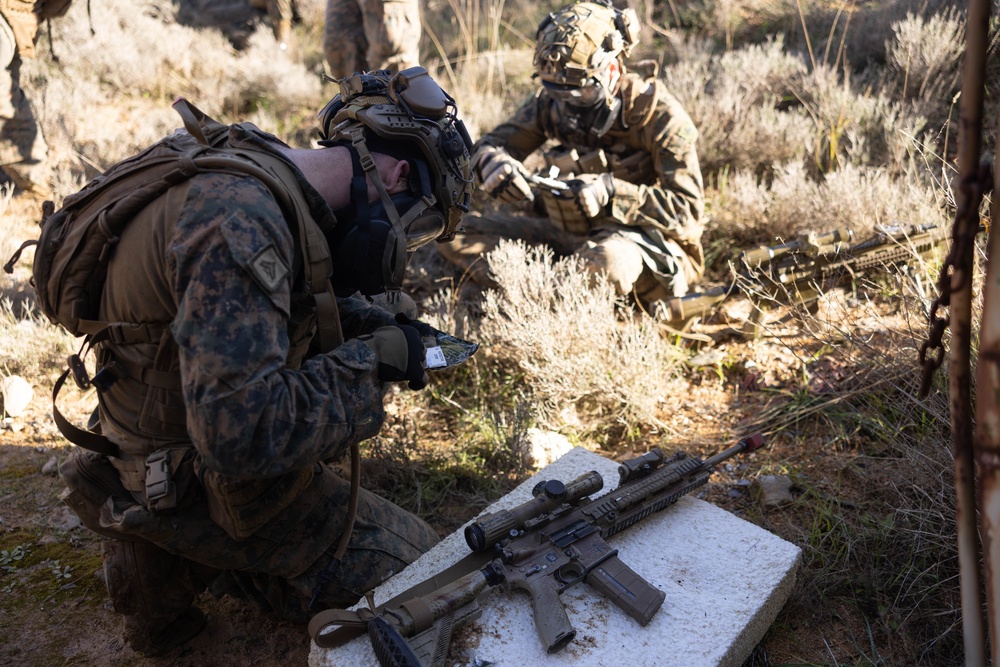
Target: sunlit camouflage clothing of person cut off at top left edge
[[23, 151]]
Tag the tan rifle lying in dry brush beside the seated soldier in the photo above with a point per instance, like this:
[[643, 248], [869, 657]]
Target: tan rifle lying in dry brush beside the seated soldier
[[800, 271]]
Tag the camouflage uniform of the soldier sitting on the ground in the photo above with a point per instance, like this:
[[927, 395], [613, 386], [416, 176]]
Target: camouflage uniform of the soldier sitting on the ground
[[650, 242]]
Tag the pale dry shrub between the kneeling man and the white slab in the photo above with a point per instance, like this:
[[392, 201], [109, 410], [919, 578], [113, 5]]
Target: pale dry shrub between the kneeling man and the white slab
[[572, 341]]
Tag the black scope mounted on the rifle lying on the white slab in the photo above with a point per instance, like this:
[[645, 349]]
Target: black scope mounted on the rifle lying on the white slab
[[549, 496]]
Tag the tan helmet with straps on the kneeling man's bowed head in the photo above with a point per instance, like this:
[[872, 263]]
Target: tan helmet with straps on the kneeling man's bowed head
[[408, 107]]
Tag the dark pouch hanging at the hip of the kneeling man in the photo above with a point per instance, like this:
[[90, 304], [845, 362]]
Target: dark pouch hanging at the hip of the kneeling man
[[242, 506]]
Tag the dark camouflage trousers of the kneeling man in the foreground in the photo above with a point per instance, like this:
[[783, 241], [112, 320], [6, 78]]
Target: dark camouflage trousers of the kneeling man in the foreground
[[168, 558]]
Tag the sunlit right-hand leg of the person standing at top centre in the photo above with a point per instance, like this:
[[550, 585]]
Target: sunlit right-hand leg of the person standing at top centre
[[393, 30]]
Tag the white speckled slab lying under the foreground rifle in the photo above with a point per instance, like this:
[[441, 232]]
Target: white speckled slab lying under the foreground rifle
[[725, 580]]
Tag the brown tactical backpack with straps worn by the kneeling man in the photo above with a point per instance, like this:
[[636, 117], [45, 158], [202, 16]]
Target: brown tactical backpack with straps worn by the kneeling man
[[77, 242]]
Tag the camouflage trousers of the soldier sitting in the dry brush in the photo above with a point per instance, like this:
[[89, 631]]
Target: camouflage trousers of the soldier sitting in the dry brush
[[638, 264]]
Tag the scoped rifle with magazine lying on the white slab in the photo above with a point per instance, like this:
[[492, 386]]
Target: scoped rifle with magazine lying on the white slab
[[543, 546]]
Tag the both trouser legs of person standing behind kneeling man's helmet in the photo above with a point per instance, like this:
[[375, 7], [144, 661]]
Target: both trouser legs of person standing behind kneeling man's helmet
[[362, 35]]
